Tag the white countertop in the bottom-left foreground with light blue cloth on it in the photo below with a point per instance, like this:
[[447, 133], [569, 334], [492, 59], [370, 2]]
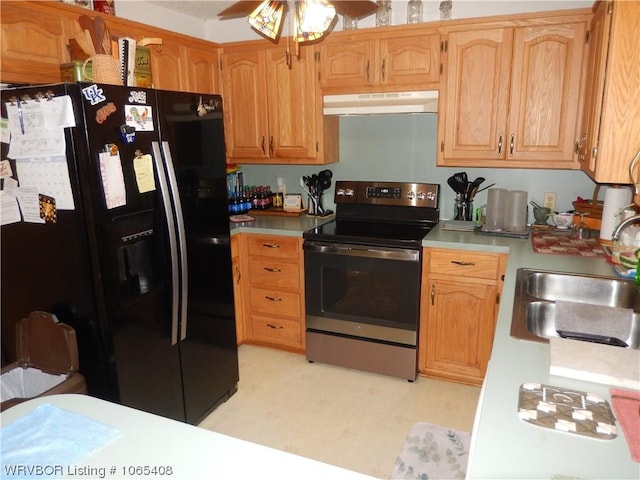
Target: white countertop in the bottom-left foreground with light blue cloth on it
[[190, 452]]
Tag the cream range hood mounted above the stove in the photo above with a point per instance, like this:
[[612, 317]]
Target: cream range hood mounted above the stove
[[381, 103]]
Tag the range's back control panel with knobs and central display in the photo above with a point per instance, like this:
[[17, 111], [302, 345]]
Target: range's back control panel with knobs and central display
[[387, 193]]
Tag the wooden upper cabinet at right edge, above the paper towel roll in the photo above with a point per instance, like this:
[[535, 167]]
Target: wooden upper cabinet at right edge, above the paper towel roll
[[610, 133]]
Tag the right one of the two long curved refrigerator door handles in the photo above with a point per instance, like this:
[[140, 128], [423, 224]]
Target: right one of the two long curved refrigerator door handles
[[182, 238]]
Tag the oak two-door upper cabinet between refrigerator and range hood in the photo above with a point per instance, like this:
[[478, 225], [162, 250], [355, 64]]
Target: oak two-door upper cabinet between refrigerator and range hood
[[273, 111]]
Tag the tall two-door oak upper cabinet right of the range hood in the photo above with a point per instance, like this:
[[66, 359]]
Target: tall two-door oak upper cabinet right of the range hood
[[512, 97]]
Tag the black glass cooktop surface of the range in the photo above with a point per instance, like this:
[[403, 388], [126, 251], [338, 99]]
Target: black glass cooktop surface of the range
[[370, 233]]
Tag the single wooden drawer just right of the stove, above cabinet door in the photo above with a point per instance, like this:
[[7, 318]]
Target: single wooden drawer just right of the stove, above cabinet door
[[464, 264]]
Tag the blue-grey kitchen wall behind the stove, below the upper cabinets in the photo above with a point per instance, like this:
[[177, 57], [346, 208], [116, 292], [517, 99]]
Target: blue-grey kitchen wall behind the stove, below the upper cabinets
[[403, 148]]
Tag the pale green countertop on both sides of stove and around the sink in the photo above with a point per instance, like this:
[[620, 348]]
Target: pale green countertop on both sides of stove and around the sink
[[503, 446]]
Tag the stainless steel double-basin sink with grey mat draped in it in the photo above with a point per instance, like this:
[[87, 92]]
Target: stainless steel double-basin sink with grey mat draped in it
[[538, 290]]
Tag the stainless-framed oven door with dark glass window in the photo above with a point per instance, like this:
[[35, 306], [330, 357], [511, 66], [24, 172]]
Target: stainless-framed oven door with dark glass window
[[363, 291]]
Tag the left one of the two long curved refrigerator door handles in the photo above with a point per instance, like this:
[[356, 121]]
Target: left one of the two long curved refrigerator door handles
[[173, 241]]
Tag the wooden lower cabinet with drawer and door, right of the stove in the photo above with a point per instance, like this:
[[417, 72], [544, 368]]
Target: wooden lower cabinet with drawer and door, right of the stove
[[460, 298]]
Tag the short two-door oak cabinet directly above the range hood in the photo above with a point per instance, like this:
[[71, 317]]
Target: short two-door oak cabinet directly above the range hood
[[379, 62]]
